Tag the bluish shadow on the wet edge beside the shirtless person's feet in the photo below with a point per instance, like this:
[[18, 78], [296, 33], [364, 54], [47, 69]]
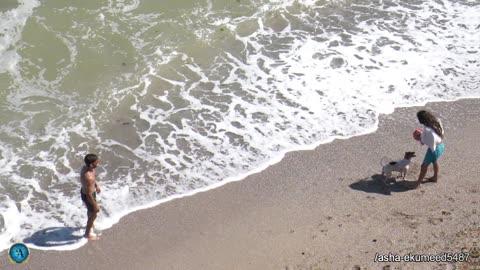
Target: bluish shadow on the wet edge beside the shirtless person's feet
[[56, 236]]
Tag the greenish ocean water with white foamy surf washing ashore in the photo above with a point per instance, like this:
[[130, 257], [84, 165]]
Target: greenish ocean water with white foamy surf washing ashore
[[181, 96]]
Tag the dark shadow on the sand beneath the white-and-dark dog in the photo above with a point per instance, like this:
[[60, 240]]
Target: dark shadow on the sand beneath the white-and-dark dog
[[378, 184]]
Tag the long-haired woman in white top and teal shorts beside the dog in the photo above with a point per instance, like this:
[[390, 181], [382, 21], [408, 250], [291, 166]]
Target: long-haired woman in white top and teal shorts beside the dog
[[432, 136]]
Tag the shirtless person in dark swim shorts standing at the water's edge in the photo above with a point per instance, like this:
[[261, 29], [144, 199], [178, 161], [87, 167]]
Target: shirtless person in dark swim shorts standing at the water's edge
[[89, 191]]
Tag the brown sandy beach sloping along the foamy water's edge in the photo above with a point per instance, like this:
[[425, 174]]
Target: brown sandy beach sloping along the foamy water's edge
[[318, 209]]
